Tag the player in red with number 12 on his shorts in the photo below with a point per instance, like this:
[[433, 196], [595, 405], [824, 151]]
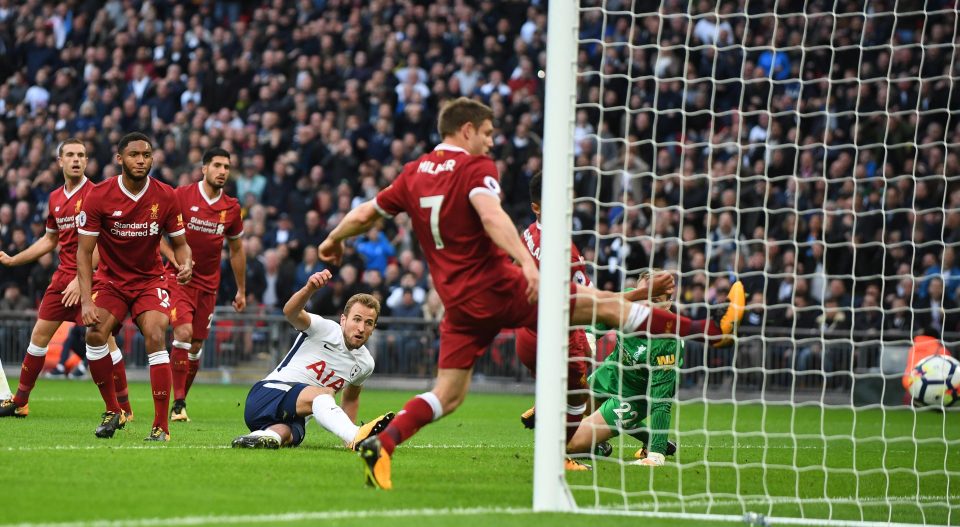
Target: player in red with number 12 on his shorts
[[125, 217]]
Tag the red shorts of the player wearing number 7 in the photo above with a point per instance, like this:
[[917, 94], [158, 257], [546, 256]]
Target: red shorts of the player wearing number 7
[[469, 327]]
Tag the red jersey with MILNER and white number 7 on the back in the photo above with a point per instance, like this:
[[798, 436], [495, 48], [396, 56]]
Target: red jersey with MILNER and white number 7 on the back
[[435, 191]]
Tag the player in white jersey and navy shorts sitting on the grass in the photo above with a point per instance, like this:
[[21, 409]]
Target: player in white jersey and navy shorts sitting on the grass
[[326, 358]]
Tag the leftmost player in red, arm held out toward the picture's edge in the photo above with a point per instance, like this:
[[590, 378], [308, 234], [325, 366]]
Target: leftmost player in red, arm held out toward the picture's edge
[[61, 300]]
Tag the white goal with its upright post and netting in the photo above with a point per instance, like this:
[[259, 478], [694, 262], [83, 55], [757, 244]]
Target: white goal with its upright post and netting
[[811, 151]]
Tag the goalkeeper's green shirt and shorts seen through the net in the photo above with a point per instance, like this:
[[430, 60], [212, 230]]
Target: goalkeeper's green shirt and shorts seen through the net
[[639, 376]]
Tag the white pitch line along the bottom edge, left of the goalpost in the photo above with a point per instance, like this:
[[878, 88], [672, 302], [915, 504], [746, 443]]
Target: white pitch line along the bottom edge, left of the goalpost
[[277, 518]]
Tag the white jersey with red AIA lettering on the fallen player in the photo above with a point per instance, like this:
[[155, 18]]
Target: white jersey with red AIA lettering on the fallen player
[[320, 358]]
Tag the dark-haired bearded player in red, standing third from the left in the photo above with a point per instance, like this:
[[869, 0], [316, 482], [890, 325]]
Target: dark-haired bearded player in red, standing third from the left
[[209, 216]]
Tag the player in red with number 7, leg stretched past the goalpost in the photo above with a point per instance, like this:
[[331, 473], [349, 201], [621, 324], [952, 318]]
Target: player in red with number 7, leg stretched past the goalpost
[[452, 196]]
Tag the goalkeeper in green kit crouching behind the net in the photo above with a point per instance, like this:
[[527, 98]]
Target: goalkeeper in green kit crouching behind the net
[[635, 387]]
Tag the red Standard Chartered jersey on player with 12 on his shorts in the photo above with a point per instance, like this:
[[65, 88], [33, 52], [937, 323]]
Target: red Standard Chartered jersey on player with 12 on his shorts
[[128, 229]]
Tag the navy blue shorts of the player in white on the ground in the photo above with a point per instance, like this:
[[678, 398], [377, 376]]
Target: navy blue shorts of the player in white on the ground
[[273, 402]]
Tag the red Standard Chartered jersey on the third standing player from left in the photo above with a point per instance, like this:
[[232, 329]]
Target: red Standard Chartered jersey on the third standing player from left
[[207, 222]]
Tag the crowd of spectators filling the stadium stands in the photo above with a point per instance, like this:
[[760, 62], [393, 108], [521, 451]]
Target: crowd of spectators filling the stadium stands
[[817, 161]]
